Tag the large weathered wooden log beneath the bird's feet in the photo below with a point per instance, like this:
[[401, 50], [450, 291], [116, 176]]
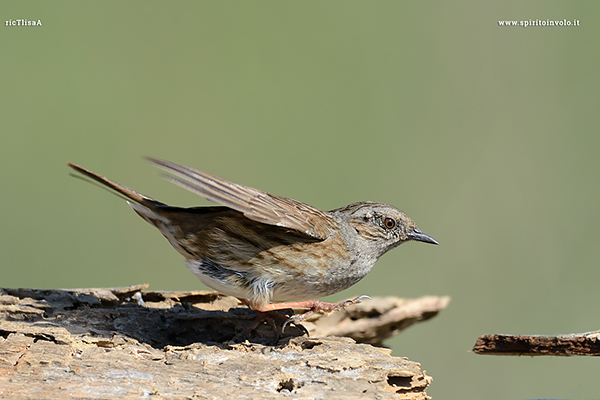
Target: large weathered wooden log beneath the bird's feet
[[129, 342]]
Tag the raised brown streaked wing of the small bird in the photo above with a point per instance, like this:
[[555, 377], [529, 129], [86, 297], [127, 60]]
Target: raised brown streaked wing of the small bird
[[253, 203]]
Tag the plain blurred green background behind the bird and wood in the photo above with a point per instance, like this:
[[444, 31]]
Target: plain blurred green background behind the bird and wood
[[486, 136]]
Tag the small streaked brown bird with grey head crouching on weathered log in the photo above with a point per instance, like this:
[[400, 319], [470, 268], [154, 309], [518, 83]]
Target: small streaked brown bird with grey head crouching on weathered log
[[272, 253]]
